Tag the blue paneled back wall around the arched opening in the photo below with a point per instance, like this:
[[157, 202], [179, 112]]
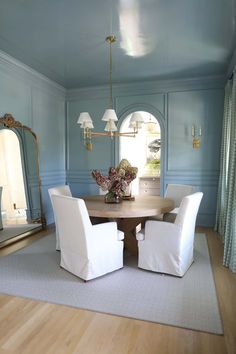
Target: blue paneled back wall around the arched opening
[[177, 105]]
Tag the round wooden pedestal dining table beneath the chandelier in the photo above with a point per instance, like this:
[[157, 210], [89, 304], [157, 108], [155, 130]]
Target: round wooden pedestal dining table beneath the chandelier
[[129, 213]]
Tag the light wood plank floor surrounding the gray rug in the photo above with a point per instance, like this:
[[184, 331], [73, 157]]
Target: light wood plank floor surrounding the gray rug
[[33, 327]]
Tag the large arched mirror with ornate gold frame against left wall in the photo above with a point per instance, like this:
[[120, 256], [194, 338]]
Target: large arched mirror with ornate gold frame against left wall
[[20, 193]]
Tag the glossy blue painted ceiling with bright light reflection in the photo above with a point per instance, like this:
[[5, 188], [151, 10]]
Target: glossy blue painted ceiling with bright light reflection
[[156, 39]]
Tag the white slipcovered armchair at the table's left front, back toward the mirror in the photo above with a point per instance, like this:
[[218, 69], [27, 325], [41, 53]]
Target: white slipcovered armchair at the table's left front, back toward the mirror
[[87, 250]]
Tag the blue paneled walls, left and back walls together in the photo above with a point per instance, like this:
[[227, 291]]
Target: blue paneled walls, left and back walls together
[[52, 113]]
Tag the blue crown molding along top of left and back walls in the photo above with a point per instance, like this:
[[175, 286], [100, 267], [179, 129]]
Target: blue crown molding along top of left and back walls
[[120, 89]]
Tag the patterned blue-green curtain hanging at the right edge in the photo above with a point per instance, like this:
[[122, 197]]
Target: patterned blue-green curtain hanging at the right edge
[[226, 200]]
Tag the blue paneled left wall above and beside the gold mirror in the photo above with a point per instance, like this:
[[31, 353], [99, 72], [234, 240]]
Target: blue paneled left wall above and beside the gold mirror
[[40, 104]]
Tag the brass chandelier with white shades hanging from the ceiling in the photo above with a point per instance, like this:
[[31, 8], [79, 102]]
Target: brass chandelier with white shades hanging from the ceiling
[[109, 116]]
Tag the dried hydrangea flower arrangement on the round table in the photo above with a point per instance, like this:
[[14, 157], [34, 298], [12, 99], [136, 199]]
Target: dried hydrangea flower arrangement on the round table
[[117, 181]]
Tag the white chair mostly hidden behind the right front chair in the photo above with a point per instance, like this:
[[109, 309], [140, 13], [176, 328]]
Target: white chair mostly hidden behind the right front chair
[[176, 192]]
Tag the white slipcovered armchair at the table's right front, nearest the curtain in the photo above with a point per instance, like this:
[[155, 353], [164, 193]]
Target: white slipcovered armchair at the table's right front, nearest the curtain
[[168, 248]]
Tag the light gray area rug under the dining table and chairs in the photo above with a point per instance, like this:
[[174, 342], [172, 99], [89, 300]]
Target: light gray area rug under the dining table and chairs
[[188, 302]]
